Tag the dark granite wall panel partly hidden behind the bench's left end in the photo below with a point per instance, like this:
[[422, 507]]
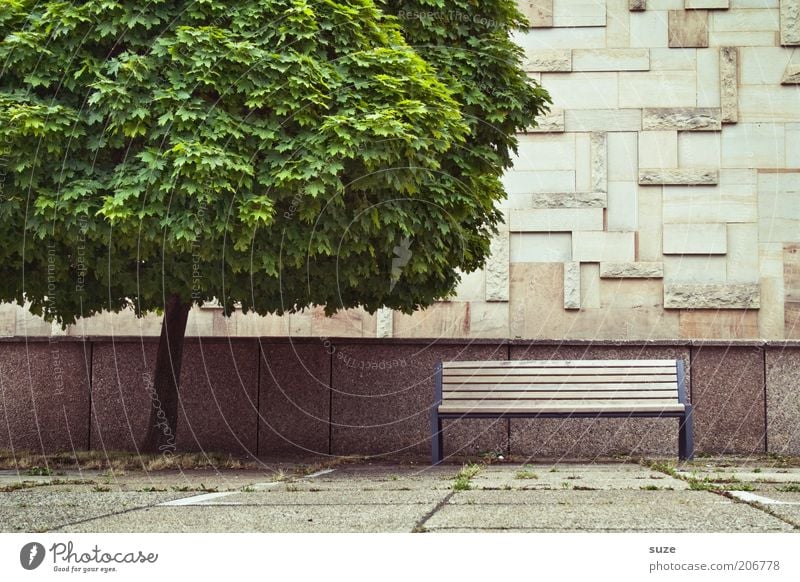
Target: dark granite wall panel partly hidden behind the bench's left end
[[382, 397]]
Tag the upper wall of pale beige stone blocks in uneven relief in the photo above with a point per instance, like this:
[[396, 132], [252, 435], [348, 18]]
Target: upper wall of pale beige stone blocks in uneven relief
[[659, 199]]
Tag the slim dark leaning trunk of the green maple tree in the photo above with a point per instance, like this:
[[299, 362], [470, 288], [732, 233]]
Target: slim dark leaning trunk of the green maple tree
[[161, 430]]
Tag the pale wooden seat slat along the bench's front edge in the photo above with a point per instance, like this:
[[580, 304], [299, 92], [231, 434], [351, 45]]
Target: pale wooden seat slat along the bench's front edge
[[500, 407]]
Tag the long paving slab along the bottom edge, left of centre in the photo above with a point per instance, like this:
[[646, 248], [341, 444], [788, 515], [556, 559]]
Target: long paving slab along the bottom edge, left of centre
[[293, 518]]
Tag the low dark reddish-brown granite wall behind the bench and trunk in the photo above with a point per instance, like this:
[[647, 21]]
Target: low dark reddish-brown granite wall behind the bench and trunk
[[278, 397]]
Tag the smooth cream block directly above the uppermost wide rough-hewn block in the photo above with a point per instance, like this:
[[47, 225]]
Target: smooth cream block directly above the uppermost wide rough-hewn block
[[658, 89]]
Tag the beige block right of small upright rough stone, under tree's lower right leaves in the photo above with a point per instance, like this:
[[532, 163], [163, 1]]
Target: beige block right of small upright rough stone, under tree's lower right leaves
[[441, 320]]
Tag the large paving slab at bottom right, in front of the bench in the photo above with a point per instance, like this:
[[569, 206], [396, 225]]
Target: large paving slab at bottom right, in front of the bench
[[601, 511]]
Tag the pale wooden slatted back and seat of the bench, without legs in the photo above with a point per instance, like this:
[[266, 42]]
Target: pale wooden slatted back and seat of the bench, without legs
[[562, 385]]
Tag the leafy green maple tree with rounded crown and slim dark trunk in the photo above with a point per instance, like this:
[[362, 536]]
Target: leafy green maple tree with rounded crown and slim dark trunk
[[271, 154]]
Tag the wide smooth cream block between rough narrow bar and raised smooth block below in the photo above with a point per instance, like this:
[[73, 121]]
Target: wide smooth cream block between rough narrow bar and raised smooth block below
[[703, 204]]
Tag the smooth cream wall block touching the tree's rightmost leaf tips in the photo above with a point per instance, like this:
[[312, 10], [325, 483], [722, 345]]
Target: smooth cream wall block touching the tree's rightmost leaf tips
[[583, 90]]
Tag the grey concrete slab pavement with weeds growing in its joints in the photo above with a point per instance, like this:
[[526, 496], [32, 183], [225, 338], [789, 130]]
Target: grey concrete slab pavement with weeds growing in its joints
[[704, 496]]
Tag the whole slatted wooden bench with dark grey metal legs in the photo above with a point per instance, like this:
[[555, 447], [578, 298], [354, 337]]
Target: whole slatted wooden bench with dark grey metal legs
[[562, 389]]
